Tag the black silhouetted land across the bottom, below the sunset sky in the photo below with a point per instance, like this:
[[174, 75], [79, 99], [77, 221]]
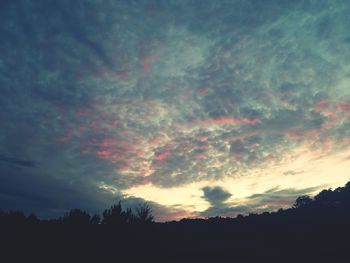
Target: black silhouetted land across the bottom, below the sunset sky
[[314, 230]]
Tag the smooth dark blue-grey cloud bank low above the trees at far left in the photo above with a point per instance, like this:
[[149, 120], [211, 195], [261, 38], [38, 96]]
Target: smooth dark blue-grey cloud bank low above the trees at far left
[[31, 192]]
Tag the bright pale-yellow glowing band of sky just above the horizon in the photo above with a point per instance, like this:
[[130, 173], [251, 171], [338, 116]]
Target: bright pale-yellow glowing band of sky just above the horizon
[[311, 169]]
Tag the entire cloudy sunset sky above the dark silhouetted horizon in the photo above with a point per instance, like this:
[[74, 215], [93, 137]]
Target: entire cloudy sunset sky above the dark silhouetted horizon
[[199, 108]]
